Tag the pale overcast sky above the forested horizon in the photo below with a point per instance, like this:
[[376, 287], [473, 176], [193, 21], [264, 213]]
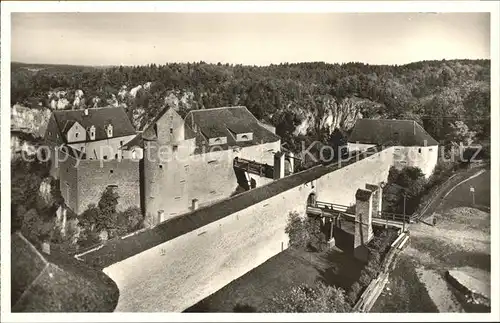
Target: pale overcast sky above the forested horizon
[[260, 39]]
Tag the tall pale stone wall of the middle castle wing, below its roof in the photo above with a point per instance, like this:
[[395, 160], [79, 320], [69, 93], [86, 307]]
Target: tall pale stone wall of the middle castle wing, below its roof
[[206, 177]]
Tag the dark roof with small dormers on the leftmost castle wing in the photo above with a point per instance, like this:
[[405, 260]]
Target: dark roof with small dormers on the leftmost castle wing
[[99, 118]]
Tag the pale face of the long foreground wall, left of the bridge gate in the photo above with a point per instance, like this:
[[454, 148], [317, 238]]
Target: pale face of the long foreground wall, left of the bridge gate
[[183, 271]]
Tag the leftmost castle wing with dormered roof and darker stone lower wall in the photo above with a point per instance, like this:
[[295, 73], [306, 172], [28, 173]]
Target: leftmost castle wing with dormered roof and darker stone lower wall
[[87, 144]]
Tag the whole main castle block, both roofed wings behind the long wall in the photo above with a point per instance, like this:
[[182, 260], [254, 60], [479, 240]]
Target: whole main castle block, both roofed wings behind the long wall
[[173, 167]]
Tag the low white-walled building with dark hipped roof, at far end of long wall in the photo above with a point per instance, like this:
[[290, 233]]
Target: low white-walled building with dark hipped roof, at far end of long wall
[[413, 146]]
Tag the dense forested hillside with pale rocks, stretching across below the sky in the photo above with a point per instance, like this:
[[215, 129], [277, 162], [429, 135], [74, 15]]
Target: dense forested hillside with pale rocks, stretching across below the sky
[[303, 101]]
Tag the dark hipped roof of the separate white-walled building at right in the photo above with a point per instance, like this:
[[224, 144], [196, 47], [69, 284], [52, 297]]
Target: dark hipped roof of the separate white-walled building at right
[[390, 132]]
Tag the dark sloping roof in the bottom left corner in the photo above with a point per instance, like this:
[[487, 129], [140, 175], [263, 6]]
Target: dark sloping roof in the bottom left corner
[[56, 283]]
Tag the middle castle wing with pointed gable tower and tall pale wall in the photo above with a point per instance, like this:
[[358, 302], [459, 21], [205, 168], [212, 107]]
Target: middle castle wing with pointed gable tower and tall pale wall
[[189, 163]]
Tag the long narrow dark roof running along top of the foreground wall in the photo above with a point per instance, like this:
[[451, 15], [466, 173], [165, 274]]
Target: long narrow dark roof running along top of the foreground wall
[[120, 249]]
